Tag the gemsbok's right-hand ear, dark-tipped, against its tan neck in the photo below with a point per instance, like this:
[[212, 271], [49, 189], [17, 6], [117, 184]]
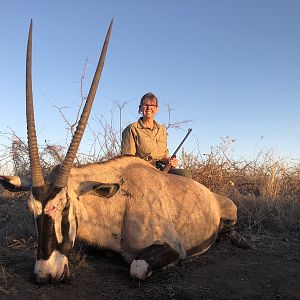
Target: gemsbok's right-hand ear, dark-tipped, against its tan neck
[[97, 189]]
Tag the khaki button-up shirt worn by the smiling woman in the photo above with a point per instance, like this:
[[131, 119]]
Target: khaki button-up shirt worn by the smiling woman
[[150, 144]]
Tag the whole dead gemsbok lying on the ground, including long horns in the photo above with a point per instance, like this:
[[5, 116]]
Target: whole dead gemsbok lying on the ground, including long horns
[[151, 218]]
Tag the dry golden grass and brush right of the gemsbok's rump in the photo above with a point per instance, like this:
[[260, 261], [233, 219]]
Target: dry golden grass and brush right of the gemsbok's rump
[[266, 189]]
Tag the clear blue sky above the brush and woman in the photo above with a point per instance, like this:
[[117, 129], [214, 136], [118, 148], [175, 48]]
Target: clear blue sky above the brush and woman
[[230, 67]]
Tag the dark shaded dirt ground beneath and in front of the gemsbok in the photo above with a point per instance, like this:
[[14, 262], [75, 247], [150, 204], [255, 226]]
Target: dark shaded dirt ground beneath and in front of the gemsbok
[[271, 270]]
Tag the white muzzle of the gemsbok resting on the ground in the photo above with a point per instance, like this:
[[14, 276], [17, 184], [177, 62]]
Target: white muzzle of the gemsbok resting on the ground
[[54, 266]]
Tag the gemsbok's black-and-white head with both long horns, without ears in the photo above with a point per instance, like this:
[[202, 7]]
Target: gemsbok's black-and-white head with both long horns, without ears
[[56, 234]]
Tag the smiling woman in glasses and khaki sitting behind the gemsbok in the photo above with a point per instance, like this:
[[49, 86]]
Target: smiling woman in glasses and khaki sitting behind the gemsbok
[[148, 139]]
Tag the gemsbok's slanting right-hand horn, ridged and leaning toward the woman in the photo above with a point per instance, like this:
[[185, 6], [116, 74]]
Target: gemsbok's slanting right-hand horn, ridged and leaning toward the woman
[[64, 171]]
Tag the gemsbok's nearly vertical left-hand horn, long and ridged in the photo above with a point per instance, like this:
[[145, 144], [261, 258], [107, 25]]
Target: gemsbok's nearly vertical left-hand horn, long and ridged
[[36, 169]]
